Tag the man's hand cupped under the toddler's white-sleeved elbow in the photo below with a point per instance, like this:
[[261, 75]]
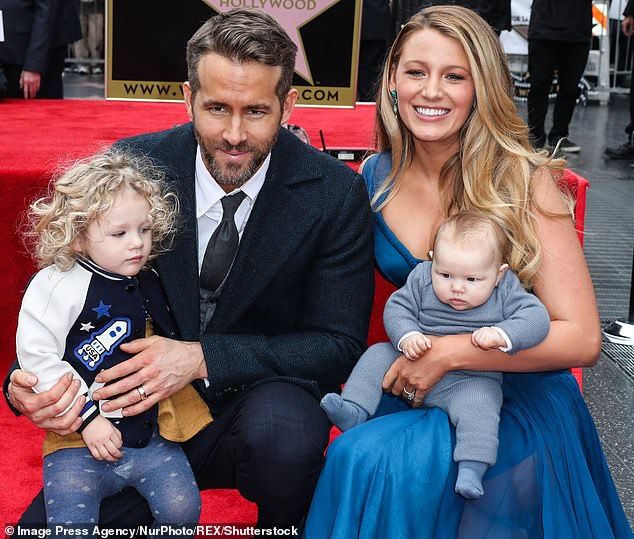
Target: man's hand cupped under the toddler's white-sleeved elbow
[[43, 409]]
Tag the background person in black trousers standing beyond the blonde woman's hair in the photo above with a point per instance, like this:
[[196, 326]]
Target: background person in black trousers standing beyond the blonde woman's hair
[[559, 34]]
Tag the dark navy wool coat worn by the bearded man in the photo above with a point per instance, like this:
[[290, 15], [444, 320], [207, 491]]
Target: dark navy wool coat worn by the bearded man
[[297, 302]]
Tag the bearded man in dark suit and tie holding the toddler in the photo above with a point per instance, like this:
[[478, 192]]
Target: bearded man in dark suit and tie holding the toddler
[[287, 323]]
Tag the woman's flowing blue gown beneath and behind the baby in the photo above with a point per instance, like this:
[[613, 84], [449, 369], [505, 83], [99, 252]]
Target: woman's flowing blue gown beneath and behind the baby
[[393, 477]]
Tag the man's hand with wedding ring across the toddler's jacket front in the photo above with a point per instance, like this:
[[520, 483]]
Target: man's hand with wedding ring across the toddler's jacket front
[[161, 367]]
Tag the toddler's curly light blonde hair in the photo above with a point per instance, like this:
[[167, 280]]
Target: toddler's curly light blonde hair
[[87, 190]]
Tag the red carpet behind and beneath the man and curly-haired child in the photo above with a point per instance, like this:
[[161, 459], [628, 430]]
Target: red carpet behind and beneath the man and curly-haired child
[[36, 138]]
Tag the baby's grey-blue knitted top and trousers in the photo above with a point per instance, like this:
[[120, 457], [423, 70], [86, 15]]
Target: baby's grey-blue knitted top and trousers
[[471, 399]]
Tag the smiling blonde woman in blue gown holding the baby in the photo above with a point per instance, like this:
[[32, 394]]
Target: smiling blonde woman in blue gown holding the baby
[[451, 140]]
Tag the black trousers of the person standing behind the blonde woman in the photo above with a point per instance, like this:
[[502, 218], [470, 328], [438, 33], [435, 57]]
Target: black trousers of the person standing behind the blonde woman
[[544, 56]]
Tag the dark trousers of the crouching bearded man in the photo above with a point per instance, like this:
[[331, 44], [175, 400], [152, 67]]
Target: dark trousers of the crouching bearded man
[[269, 443]]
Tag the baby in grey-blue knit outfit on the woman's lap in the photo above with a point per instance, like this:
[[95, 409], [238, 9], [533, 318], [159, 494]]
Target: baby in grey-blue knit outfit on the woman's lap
[[466, 288]]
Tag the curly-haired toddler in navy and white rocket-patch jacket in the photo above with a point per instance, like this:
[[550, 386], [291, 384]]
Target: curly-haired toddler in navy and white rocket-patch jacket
[[104, 220]]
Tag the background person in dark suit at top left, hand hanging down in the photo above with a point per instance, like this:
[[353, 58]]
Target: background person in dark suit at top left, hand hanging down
[[33, 52]]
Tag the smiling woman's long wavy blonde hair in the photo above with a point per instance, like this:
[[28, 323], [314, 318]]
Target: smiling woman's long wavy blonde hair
[[493, 170]]
